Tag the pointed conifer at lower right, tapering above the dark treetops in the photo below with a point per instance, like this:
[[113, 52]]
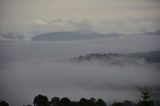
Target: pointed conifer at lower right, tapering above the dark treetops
[[146, 99]]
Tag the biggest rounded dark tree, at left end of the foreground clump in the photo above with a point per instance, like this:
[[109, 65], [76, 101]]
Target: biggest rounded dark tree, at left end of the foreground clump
[[41, 100]]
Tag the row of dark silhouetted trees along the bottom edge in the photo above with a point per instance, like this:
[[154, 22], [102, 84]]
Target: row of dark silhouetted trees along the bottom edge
[[41, 100]]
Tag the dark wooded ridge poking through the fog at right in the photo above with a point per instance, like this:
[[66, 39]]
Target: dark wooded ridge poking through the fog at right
[[151, 57]]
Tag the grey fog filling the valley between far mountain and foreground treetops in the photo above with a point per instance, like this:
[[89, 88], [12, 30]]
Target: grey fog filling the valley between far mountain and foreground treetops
[[31, 68]]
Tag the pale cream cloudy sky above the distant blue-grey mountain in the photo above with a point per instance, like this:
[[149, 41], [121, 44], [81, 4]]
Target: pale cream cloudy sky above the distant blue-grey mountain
[[31, 17]]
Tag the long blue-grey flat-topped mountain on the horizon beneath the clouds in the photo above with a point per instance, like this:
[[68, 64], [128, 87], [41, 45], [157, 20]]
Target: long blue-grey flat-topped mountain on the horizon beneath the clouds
[[67, 36]]
